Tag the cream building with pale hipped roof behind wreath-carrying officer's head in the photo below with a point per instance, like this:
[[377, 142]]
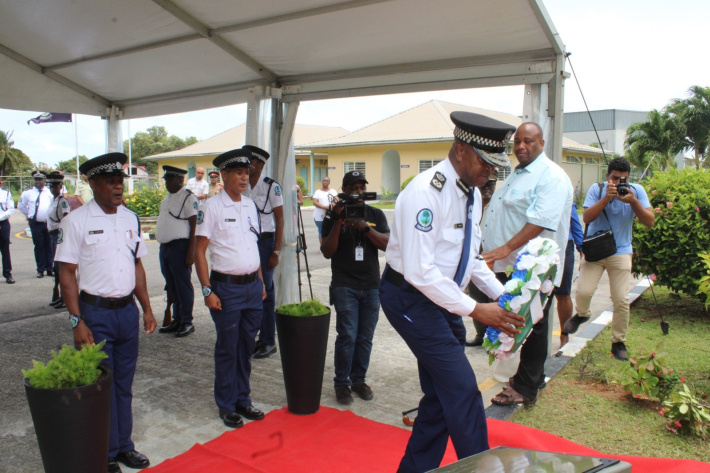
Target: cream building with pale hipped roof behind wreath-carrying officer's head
[[392, 150]]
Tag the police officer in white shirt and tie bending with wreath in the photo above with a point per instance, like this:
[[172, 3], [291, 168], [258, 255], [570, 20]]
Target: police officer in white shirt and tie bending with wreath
[[431, 257]]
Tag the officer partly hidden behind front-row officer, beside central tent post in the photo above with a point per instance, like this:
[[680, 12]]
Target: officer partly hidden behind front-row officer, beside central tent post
[[267, 195]]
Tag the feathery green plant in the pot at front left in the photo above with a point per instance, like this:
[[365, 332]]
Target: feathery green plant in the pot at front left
[[70, 368]]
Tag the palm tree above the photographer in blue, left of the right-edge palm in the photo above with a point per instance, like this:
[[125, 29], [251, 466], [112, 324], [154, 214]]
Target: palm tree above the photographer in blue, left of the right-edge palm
[[662, 136]]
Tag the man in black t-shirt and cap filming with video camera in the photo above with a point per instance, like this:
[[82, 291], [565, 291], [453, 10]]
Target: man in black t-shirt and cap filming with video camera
[[352, 246]]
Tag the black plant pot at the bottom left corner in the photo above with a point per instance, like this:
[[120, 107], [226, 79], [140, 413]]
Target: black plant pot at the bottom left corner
[[72, 425]]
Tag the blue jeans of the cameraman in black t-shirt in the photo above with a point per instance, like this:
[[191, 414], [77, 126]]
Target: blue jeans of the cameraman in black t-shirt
[[356, 312]]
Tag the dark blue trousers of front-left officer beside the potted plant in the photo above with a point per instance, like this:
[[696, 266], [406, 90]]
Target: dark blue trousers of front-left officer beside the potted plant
[[119, 327]]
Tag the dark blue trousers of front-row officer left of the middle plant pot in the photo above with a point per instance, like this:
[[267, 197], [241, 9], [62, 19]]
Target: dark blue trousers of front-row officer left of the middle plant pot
[[236, 325]]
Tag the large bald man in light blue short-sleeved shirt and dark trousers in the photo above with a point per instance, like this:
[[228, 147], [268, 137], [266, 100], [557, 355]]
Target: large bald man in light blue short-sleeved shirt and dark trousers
[[535, 200]]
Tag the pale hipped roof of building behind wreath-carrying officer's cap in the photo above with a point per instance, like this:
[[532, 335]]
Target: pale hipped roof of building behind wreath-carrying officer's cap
[[424, 123]]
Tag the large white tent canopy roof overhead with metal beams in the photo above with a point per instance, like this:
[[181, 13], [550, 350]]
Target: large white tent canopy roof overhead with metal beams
[[169, 56]]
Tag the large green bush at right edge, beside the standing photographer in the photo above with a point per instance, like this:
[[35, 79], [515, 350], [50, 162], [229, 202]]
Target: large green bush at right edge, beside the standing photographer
[[670, 249]]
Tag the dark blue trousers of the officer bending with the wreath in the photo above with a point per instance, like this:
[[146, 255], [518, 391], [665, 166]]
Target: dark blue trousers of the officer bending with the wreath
[[452, 405]]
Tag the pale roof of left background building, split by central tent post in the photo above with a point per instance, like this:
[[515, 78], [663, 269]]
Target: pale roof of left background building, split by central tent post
[[234, 138]]
